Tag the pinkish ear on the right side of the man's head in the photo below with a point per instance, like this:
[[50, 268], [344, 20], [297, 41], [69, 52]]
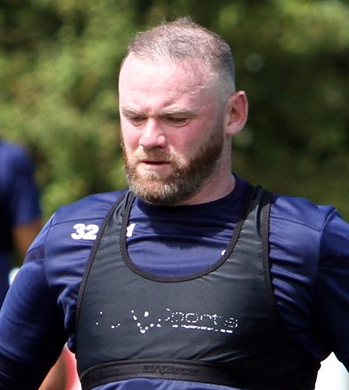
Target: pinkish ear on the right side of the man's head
[[236, 113]]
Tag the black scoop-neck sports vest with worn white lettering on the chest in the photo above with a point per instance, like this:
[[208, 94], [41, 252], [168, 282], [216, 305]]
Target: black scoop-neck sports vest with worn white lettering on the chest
[[219, 326]]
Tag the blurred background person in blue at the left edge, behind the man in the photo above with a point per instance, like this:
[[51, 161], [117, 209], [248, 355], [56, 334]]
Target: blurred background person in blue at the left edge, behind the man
[[20, 222]]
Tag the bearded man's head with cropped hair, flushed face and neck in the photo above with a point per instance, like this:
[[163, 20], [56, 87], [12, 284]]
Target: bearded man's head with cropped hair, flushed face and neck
[[178, 110]]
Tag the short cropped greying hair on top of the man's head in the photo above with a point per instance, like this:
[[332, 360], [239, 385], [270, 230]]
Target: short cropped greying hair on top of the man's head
[[182, 40]]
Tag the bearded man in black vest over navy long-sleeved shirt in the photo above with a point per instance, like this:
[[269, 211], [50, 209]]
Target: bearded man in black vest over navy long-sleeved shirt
[[192, 279]]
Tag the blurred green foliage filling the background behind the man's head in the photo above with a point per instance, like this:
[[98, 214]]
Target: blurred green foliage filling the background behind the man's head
[[58, 74]]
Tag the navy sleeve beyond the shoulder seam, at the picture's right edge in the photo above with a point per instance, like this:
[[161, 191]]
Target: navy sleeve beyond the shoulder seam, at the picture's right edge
[[331, 296]]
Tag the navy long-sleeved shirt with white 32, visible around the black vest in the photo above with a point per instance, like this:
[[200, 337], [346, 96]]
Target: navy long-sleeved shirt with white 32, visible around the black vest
[[309, 255]]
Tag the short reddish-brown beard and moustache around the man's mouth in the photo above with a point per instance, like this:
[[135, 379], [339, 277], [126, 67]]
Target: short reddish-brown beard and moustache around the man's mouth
[[185, 179]]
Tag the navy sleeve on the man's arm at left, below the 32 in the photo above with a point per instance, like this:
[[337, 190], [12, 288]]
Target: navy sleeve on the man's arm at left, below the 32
[[30, 310]]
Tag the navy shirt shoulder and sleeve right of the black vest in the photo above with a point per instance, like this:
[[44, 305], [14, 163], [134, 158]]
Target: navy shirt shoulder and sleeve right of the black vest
[[309, 251]]
